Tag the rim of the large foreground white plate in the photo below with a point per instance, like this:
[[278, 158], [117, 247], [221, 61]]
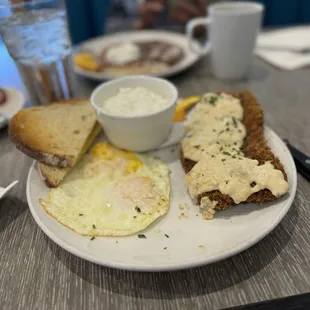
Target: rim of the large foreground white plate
[[172, 267]]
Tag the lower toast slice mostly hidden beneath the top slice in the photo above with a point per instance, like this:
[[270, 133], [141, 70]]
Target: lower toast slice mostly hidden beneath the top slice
[[53, 176]]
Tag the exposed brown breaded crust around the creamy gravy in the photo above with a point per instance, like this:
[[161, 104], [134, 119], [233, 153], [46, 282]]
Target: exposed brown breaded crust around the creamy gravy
[[254, 147]]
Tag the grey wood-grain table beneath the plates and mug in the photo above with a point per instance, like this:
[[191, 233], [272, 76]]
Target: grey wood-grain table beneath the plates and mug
[[35, 273]]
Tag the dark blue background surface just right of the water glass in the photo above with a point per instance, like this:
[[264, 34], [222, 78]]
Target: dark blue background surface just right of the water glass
[[86, 18]]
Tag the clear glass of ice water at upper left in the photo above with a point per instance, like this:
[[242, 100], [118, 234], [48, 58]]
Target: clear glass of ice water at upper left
[[36, 36]]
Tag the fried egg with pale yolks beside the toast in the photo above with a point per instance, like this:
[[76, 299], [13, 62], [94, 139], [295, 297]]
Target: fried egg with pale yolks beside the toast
[[111, 192]]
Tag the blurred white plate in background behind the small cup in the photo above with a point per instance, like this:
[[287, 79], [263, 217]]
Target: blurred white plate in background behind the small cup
[[98, 44]]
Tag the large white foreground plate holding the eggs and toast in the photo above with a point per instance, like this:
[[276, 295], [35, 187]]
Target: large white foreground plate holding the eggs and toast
[[192, 241]]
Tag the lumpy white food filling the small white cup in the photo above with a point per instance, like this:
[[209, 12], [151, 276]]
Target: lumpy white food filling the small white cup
[[134, 101]]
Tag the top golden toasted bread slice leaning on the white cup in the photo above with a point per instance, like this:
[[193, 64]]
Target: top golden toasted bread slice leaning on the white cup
[[53, 134]]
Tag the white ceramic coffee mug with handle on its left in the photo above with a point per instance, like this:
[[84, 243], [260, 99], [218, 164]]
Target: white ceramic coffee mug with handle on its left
[[232, 28]]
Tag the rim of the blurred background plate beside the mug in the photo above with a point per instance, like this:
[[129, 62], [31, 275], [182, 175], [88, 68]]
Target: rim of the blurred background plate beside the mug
[[101, 76]]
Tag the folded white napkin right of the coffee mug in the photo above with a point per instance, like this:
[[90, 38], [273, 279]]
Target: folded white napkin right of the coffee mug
[[286, 49]]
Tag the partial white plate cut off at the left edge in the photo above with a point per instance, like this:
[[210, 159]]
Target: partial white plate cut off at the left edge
[[15, 101]]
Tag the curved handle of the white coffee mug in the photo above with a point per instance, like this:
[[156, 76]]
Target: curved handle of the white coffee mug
[[190, 27]]
